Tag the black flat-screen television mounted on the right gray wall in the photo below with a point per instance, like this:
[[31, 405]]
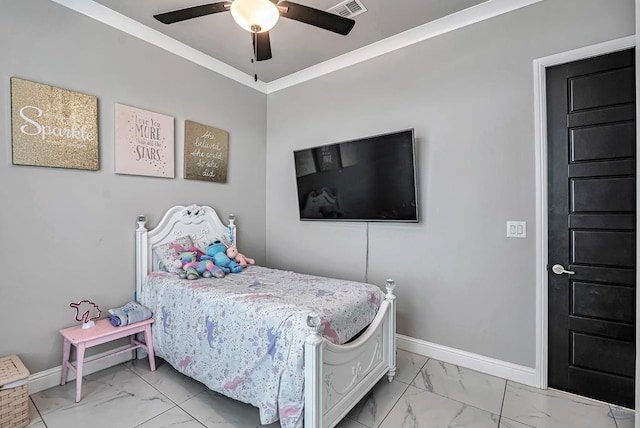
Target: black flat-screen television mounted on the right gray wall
[[368, 179]]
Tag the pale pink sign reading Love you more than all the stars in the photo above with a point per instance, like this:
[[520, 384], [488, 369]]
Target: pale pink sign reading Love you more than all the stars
[[144, 142]]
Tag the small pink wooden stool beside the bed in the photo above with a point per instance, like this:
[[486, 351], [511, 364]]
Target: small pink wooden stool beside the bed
[[102, 332]]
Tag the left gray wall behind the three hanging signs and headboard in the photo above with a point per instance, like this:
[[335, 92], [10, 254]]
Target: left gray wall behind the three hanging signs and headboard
[[67, 234]]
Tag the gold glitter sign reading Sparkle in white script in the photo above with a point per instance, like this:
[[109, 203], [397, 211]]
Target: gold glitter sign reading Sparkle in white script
[[53, 127]]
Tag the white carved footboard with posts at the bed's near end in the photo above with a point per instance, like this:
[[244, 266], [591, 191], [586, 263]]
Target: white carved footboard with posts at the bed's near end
[[338, 376]]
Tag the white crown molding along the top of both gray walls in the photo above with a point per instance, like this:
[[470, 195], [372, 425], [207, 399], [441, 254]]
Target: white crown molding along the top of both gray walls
[[463, 18]]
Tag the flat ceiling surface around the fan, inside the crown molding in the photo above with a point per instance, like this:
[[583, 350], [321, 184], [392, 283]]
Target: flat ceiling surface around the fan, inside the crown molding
[[295, 45]]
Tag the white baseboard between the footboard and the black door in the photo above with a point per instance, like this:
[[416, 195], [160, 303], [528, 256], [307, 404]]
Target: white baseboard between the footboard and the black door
[[502, 369]]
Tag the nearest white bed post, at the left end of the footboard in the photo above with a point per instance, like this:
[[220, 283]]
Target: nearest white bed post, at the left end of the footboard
[[313, 374]]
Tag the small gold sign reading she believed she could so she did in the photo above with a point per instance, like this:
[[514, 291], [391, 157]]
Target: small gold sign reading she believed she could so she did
[[205, 152]]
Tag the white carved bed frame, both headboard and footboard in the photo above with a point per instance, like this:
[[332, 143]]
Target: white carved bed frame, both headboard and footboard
[[336, 376]]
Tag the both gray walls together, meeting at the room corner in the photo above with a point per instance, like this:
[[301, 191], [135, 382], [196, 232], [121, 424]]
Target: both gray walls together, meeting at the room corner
[[468, 94]]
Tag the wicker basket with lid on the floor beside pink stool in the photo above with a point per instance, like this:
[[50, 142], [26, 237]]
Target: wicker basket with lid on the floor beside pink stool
[[14, 393]]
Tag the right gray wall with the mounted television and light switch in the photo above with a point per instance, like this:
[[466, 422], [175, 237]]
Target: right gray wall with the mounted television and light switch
[[469, 96]]
